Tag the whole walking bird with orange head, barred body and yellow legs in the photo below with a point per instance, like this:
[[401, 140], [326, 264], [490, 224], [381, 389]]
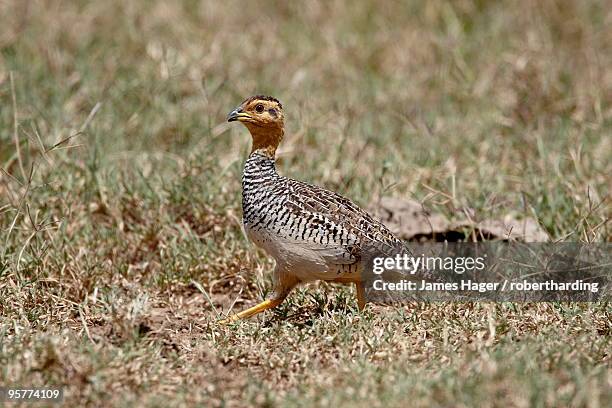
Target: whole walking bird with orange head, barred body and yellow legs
[[311, 232]]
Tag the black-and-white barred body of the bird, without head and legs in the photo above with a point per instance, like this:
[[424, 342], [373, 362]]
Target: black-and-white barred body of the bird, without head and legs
[[313, 233]]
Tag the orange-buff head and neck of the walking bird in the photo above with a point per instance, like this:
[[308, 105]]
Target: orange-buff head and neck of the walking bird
[[263, 117]]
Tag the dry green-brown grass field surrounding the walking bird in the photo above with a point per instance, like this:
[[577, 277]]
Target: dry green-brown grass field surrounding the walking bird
[[120, 242]]
